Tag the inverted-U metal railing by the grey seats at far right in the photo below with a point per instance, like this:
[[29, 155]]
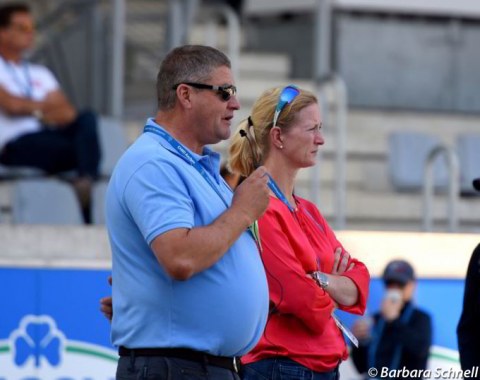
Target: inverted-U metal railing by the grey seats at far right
[[453, 188]]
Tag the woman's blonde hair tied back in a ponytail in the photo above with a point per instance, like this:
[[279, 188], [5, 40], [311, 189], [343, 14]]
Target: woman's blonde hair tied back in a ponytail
[[243, 157]]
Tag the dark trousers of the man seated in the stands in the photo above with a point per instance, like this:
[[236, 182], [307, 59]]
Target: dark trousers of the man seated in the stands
[[73, 147]]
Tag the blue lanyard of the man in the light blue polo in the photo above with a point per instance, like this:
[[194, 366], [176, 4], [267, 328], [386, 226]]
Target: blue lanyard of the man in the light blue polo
[[189, 158]]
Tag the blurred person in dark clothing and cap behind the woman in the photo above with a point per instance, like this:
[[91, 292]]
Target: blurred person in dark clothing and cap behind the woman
[[400, 334]]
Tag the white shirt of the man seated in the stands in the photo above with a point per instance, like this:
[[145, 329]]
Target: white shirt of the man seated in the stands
[[23, 79]]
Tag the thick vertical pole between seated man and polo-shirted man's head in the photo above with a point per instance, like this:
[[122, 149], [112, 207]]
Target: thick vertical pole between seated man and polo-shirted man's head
[[118, 68]]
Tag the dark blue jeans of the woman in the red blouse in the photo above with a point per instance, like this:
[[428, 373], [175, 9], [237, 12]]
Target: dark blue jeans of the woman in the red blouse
[[284, 368]]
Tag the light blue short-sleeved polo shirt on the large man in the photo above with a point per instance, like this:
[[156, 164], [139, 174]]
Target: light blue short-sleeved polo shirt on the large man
[[221, 310]]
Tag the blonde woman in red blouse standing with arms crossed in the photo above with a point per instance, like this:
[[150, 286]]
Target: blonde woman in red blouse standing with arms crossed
[[309, 272]]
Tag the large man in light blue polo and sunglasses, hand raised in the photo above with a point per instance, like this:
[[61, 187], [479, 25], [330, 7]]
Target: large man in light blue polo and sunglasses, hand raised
[[189, 289]]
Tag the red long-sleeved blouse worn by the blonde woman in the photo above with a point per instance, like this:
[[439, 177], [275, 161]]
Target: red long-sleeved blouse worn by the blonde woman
[[300, 326]]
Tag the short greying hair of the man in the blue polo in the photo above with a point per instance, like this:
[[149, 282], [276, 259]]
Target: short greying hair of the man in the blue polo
[[189, 63]]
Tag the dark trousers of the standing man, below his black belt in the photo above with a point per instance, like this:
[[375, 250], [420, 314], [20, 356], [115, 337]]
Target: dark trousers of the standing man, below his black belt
[[166, 368]]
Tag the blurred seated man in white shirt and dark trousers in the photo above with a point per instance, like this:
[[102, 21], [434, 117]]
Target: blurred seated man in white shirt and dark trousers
[[38, 126]]
